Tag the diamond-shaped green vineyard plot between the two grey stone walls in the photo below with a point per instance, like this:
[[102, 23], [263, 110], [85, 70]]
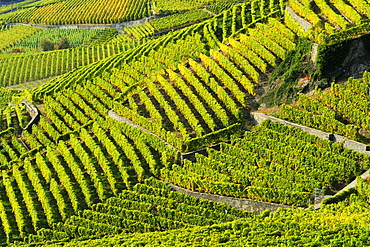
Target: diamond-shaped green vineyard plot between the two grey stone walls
[[273, 163]]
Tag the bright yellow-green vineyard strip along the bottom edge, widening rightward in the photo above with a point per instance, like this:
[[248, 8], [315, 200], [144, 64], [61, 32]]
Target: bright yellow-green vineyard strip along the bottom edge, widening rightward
[[269, 229]]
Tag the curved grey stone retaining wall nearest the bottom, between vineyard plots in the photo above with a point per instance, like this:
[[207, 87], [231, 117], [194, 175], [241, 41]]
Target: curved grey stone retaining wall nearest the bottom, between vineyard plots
[[239, 203]]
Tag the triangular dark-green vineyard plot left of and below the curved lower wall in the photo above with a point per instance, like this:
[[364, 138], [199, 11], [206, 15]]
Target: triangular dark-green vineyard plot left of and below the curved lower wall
[[148, 207]]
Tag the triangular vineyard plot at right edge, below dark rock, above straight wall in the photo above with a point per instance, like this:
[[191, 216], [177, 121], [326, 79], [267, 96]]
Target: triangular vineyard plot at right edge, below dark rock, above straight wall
[[331, 111]]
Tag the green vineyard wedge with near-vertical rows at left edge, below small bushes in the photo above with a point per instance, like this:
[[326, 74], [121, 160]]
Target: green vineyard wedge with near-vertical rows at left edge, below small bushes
[[17, 68]]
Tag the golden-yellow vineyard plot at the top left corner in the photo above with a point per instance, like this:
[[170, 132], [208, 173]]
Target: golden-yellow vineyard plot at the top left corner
[[82, 12]]
